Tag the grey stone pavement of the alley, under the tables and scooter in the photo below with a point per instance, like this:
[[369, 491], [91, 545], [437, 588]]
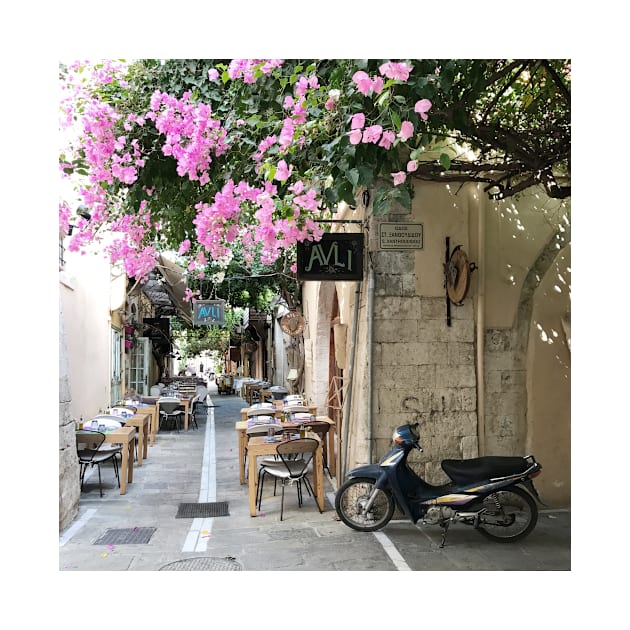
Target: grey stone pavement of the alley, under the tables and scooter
[[201, 466]]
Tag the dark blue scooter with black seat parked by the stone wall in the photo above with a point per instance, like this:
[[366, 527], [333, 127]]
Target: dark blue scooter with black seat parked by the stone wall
[[493, 494]]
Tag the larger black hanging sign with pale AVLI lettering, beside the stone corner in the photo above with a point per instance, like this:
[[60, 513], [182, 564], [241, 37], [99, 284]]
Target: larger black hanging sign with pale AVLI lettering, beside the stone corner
[[335, 257]]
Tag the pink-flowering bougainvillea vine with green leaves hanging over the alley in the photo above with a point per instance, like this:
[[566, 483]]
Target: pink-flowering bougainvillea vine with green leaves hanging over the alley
[[205, 156]]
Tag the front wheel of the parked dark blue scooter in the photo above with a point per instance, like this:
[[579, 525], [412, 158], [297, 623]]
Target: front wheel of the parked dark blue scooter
[[351, 502]]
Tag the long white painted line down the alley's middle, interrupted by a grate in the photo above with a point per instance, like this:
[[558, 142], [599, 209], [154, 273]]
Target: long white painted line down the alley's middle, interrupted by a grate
[[201, 528]]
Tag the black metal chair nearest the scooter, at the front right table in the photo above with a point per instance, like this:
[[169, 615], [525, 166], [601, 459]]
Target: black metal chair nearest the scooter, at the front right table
[[290, 468]]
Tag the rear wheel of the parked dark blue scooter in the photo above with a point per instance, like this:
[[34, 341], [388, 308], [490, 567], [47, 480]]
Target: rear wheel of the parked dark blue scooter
[[509, 515]]
